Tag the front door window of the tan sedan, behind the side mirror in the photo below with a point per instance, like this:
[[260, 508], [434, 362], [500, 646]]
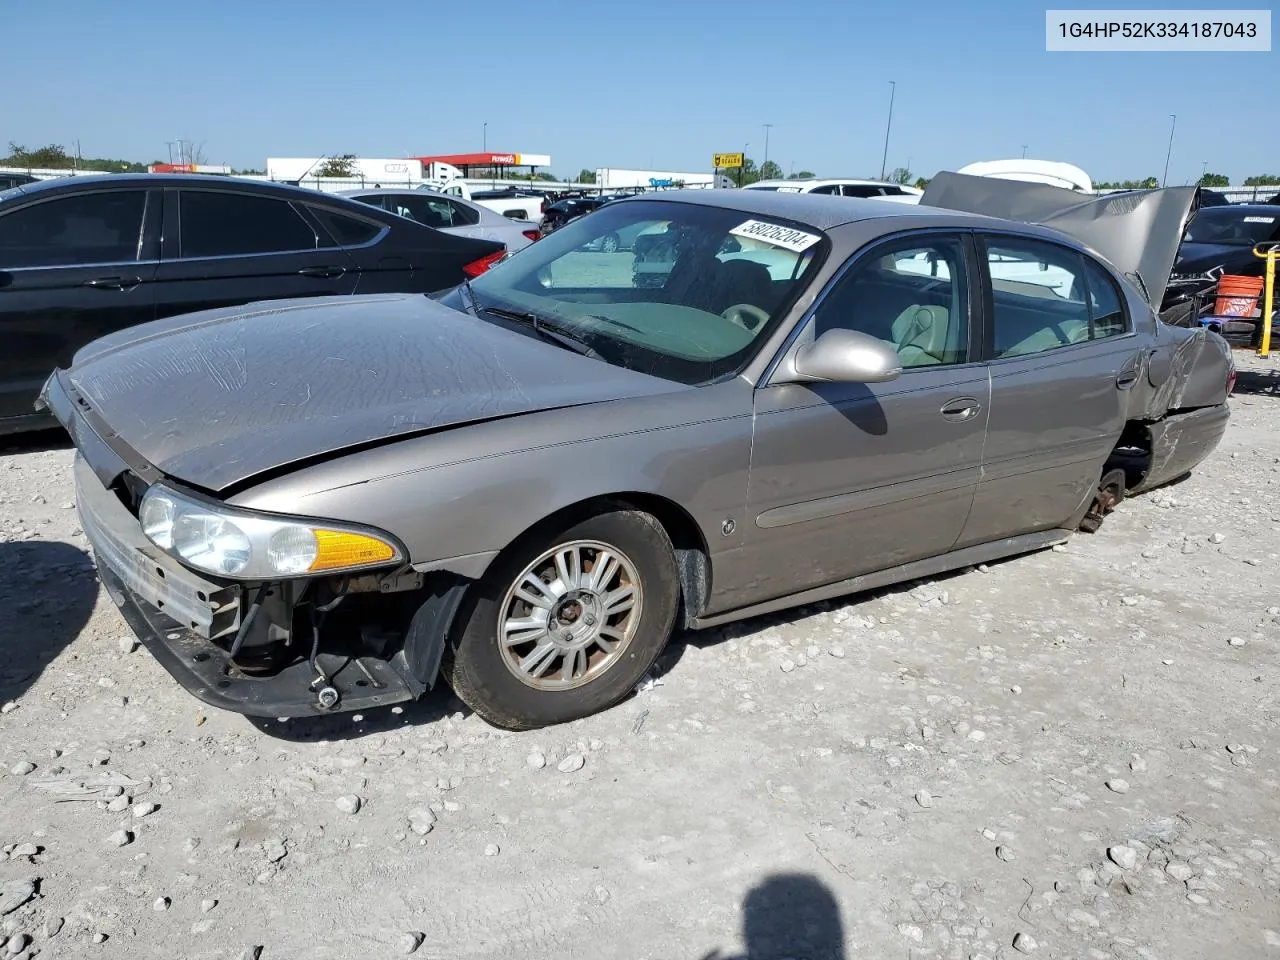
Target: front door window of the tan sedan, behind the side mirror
[[913, 294]]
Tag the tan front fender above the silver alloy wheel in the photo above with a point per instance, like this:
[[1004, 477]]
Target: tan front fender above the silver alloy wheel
[[458, 497]]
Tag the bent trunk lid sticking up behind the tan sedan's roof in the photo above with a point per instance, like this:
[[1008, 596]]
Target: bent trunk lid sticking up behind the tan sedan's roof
[[1137, 231]]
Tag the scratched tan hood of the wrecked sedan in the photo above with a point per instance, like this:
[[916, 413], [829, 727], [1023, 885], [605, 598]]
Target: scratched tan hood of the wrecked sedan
[[220, 397]]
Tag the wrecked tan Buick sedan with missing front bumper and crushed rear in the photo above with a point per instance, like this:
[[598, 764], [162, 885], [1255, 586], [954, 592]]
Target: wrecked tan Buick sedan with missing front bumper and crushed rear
[[528, 484]]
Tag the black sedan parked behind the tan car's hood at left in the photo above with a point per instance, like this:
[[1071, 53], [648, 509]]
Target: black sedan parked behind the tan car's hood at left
[[84, 257]]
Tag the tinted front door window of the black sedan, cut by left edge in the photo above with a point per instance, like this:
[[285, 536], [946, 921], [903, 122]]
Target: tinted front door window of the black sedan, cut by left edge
[[92, 228]]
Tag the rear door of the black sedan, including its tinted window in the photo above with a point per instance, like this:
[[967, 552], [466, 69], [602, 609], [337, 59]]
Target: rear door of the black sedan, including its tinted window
[[226, 248]]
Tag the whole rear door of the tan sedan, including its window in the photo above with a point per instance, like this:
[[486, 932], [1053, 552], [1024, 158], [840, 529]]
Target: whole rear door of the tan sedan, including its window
[[1063, 358]]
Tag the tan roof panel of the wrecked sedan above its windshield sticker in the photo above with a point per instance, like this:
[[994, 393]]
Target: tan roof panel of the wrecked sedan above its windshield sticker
[[821, 211]]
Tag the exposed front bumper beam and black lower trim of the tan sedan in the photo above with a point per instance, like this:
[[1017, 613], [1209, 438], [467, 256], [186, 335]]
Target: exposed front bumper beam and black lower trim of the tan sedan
[[179, 615]]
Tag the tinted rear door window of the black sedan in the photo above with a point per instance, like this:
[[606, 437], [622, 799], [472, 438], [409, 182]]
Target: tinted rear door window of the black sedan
[[217, 223]]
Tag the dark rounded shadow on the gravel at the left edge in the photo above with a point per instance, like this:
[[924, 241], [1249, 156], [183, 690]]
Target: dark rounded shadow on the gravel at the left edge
[[48, 592]]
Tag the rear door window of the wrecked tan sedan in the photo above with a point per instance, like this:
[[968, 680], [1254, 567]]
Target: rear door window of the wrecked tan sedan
[[1043, 300]]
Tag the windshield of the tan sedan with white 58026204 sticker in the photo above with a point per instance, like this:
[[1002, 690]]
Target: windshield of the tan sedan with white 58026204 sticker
[[680, 291]]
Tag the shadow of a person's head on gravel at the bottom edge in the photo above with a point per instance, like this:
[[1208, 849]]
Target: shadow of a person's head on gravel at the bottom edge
[[790, 916]]
